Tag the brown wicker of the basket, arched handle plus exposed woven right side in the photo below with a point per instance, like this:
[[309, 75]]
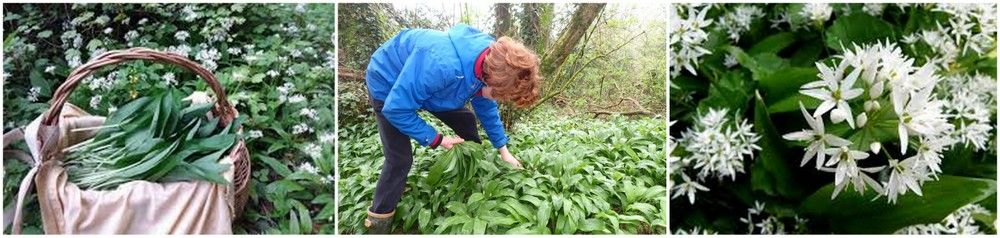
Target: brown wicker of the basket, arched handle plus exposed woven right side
[[223, 109]]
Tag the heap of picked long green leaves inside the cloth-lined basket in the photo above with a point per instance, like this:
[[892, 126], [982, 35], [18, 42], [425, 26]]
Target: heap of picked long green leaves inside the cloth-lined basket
[[155, 138]]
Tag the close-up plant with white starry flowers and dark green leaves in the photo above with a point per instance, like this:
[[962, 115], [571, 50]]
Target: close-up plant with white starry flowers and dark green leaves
[[863, 118]]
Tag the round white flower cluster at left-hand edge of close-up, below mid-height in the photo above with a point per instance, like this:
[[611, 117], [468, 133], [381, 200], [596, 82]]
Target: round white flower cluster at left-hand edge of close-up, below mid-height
[[716, 148]]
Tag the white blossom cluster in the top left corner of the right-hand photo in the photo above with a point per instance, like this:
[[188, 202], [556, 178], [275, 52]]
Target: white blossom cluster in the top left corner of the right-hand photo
[[686, 37]]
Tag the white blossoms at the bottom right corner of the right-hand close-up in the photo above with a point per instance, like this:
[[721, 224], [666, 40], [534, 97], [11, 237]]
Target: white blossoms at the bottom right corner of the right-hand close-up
[[960, 222]]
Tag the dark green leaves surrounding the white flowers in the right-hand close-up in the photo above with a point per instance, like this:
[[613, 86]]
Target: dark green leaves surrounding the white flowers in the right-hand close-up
[[760, 76]]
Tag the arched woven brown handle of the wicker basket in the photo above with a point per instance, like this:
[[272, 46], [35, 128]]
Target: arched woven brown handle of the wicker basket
[[223, 109]]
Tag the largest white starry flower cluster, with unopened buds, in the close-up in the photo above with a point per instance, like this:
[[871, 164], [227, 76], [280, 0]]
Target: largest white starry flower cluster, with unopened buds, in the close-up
[[891, 89]]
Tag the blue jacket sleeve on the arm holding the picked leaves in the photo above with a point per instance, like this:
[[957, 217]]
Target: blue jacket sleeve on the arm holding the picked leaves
[[417, 80]]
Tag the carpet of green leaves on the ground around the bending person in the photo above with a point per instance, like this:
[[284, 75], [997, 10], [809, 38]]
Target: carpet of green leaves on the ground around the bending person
[[580, 176]]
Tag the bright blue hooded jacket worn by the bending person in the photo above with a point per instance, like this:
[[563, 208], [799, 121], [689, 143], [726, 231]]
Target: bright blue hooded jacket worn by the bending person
[[432, 70]]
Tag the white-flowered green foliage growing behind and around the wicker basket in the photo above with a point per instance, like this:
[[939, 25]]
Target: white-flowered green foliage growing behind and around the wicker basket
[[274, 60]]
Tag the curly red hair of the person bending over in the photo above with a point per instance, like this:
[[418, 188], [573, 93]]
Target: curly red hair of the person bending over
[[511, 69]]
